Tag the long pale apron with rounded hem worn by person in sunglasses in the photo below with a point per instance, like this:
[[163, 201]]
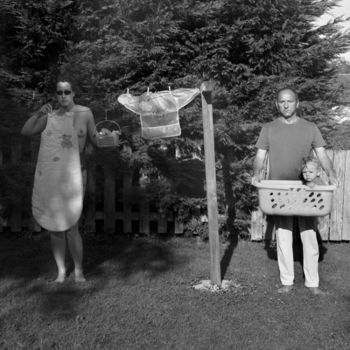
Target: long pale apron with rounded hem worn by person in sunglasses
[[57, 198]]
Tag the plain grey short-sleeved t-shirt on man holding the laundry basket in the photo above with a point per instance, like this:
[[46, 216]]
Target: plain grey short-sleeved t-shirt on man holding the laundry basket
[[287, 145]]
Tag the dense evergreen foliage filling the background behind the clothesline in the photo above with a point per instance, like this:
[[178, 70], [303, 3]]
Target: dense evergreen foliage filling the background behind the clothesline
[[249, 49]]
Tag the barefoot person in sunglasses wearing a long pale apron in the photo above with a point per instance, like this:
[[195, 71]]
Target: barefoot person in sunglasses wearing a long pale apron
[[60, 173]]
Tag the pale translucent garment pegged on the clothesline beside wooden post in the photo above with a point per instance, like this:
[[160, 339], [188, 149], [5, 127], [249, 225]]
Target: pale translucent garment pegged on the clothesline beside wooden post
[[159, 111]]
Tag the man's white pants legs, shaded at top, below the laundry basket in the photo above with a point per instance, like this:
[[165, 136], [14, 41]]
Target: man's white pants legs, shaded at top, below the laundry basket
[[284, 238]]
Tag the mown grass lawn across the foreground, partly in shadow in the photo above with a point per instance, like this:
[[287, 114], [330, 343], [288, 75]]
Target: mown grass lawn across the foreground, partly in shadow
[[139, 295]]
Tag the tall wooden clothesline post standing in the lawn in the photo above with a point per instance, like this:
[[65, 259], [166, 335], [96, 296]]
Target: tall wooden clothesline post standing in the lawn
[[210, 174]]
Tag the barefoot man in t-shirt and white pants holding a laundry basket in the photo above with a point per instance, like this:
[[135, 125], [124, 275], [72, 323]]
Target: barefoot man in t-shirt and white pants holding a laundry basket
[[287, 140]]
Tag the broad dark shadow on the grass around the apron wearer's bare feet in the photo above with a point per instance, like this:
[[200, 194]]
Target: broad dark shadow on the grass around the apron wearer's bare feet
[[27, 269]]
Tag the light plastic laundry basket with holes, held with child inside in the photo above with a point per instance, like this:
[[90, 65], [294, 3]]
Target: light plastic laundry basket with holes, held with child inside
[[288, 198]]
